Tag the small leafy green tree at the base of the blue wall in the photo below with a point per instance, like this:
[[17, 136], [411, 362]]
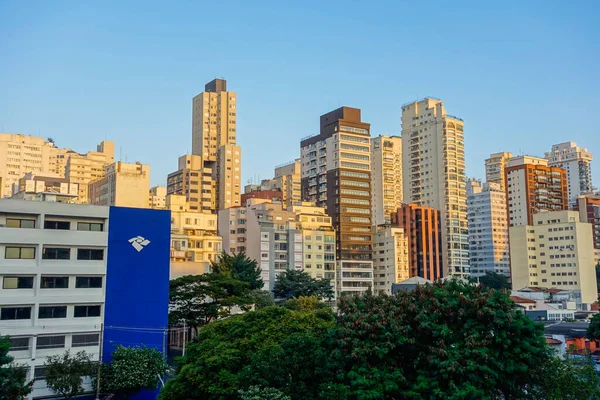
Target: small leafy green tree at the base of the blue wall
[[131, 370]]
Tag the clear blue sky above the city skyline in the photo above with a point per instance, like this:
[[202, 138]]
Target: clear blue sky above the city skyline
[[522, 74]]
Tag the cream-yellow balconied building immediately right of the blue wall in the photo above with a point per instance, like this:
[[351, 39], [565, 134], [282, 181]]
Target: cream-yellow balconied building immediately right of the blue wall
[[194, 240]]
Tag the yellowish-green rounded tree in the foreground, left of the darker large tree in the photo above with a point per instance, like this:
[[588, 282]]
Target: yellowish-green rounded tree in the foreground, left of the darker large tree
[[271, 348]]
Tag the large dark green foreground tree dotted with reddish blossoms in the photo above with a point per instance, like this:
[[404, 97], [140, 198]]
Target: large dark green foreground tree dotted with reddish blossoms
[[447, 340]]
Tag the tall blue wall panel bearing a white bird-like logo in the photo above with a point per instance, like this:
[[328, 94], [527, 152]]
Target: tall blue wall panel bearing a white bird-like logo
[[137, 280]]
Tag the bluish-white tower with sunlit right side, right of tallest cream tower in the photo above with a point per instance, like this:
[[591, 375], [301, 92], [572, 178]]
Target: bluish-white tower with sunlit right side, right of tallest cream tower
[[488, 228]]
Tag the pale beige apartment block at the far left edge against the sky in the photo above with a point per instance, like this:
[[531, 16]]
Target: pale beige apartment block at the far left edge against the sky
[[21, 154]]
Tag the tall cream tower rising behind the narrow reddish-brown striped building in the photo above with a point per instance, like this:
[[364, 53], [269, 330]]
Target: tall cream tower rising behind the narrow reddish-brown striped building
[[433, 167]]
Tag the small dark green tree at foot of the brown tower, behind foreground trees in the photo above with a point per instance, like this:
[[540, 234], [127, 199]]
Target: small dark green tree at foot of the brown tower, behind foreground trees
[[299, 283]]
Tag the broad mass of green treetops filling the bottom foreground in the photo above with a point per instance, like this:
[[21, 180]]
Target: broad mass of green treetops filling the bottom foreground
[[443, 341]]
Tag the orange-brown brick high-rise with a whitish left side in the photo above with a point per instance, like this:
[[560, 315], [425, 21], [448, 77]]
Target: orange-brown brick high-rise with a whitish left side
[[532, 186]]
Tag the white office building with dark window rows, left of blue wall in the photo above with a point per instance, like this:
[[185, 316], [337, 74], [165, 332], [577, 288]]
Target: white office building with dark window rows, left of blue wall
[[52, 276]]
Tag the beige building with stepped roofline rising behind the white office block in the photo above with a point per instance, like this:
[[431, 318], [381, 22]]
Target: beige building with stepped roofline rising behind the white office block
[[84, 168]]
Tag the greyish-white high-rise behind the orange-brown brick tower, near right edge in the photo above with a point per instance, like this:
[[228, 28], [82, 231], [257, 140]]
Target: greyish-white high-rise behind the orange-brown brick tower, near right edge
[[576, 161]]
